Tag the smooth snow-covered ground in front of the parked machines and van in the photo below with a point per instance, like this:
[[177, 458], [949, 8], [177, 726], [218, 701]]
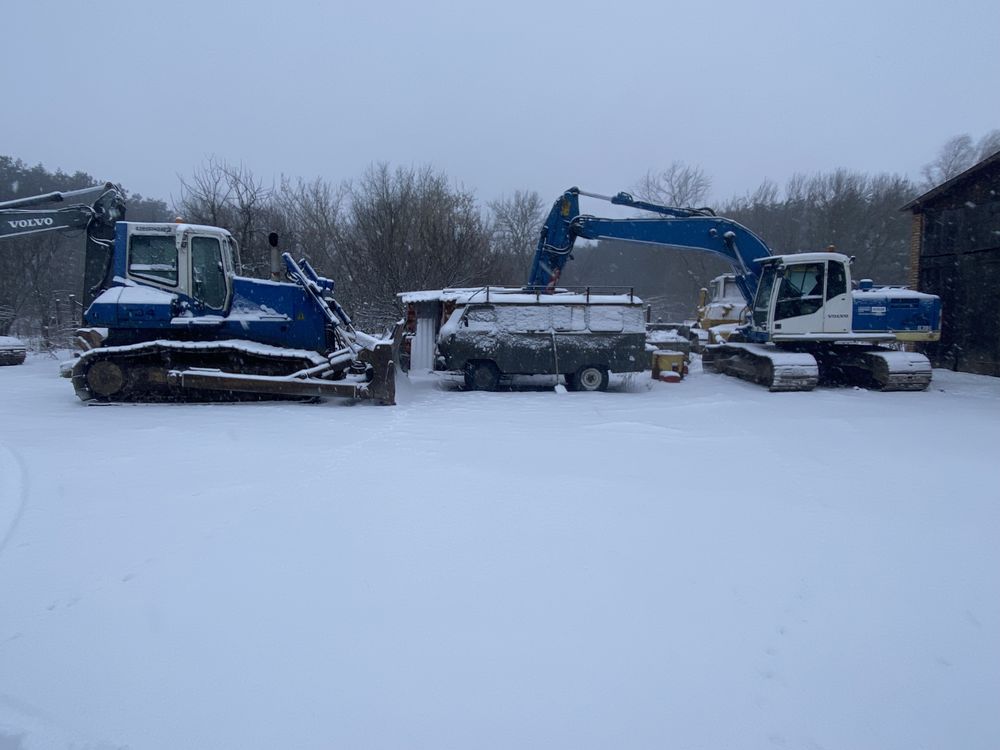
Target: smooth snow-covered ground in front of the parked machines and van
[[694, 565]]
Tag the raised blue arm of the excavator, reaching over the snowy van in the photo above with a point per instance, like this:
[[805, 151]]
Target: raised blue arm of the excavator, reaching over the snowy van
[[685, 228]]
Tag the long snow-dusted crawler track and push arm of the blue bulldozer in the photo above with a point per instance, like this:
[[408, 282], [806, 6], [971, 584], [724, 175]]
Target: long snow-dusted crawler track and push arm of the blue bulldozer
[[166, 370]]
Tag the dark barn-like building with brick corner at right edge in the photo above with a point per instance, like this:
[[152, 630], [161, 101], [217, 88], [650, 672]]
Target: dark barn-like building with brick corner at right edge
[[955, 254]]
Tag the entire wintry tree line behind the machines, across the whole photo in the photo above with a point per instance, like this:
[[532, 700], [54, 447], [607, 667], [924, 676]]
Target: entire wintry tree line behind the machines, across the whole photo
[[401, 229]]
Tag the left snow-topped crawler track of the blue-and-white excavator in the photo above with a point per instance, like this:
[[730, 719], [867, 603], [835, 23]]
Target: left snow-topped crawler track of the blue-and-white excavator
[[777, 370]]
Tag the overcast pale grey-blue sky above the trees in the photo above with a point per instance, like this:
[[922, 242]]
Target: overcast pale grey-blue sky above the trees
[[500, 96]]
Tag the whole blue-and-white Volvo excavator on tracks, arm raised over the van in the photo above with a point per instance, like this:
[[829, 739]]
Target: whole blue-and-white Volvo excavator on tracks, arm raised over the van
[[808, 322]]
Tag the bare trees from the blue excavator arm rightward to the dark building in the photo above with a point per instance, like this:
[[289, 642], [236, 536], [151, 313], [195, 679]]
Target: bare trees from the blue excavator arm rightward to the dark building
[[853, 212]]
